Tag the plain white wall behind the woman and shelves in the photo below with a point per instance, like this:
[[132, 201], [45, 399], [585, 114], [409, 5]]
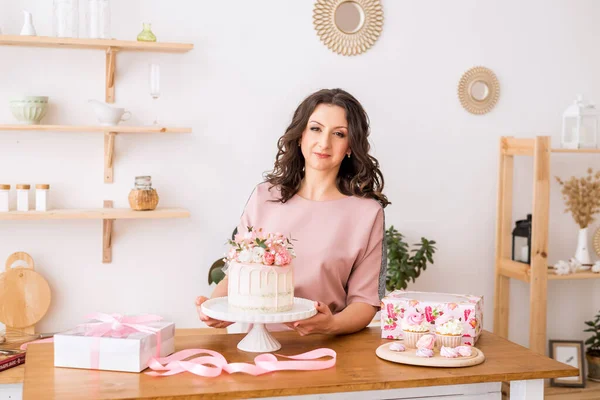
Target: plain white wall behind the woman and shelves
[[252, 64]]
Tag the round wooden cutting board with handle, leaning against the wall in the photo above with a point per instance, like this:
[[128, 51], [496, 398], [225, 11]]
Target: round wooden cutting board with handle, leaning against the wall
[[24, 294]]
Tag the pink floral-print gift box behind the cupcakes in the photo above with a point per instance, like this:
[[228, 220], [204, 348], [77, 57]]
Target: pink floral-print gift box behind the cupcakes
[[466, 308]]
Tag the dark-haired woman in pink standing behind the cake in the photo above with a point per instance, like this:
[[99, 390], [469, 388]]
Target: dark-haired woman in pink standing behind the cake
[[326, 191]]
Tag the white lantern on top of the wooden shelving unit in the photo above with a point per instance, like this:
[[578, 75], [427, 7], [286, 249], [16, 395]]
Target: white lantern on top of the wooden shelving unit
[[580, 125]]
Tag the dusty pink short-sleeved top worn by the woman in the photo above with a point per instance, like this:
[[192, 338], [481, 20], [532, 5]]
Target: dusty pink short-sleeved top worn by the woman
[[339, 244]]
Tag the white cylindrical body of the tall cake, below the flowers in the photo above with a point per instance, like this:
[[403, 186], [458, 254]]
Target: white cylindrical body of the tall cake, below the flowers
[[260, 288]]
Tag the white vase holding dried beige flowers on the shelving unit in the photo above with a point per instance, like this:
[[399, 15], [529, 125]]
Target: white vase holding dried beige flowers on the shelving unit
[[582, 198]]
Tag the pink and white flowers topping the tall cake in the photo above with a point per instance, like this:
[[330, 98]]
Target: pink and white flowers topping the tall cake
[[254, 246]]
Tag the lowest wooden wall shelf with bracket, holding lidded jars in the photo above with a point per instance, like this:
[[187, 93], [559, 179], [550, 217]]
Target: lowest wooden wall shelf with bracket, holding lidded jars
[[106, 214]]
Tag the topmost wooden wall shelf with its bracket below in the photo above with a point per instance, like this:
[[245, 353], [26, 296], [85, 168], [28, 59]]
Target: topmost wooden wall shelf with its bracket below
[[110, 46]]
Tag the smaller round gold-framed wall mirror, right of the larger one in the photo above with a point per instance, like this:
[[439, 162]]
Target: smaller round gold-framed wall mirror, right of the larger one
[[478, 90]]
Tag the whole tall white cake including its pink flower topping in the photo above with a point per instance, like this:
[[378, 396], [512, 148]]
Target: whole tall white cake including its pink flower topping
[[260, 273]]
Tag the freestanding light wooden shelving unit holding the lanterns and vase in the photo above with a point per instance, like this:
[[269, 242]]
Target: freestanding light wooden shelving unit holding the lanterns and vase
[[537, 273]]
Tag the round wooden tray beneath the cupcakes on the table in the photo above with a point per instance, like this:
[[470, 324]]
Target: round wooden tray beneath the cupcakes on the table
[[409, 357]]
